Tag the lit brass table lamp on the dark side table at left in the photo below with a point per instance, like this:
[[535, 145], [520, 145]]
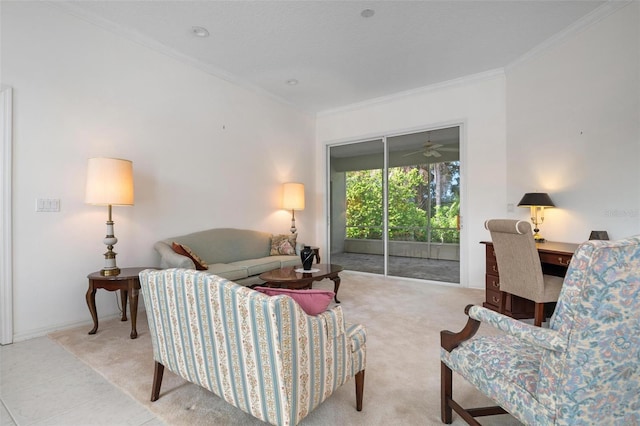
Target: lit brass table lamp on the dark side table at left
[[109, 182]]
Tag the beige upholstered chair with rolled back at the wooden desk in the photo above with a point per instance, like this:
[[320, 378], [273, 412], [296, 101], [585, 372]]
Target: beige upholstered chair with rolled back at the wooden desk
[[519, 266]]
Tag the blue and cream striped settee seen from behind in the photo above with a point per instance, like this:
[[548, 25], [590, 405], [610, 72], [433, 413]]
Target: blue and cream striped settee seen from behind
[[262, 354]]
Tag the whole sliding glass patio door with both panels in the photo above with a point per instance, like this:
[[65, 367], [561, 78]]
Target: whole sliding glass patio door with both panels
[[394, 205]]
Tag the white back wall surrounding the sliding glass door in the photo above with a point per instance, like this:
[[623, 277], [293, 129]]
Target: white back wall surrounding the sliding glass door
[[478, 103]]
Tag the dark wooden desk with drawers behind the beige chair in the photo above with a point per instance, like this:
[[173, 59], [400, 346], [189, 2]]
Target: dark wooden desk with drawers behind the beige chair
[[554, 257]]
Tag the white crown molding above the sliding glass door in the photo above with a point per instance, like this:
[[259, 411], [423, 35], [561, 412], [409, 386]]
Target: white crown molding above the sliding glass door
[[469, 79]]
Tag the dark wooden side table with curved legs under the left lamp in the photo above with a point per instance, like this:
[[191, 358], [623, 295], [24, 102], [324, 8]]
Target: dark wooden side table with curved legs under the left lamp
[[127, 282]]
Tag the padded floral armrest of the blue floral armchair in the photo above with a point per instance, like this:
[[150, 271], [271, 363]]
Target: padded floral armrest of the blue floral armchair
[[538, 336]]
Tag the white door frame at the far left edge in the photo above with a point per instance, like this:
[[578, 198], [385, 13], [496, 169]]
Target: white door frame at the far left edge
[[6, 260]]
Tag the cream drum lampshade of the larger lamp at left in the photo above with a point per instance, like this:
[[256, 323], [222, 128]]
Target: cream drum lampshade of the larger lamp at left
[[109, 182]]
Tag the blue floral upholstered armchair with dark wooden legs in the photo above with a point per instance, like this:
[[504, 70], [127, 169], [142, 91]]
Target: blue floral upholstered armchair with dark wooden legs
[[584, 369]]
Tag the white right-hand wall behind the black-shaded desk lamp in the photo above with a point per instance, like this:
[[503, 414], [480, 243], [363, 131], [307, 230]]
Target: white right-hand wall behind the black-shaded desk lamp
[[573, 130]]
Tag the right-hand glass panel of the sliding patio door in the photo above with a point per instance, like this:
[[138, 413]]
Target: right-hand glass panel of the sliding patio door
[[424, 205]]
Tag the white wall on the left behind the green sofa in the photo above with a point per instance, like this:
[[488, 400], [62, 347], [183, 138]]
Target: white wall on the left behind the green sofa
[[206, 154]]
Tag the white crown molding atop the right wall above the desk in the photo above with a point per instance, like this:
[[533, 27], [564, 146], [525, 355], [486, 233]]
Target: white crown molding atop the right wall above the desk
[[592, 18]]
